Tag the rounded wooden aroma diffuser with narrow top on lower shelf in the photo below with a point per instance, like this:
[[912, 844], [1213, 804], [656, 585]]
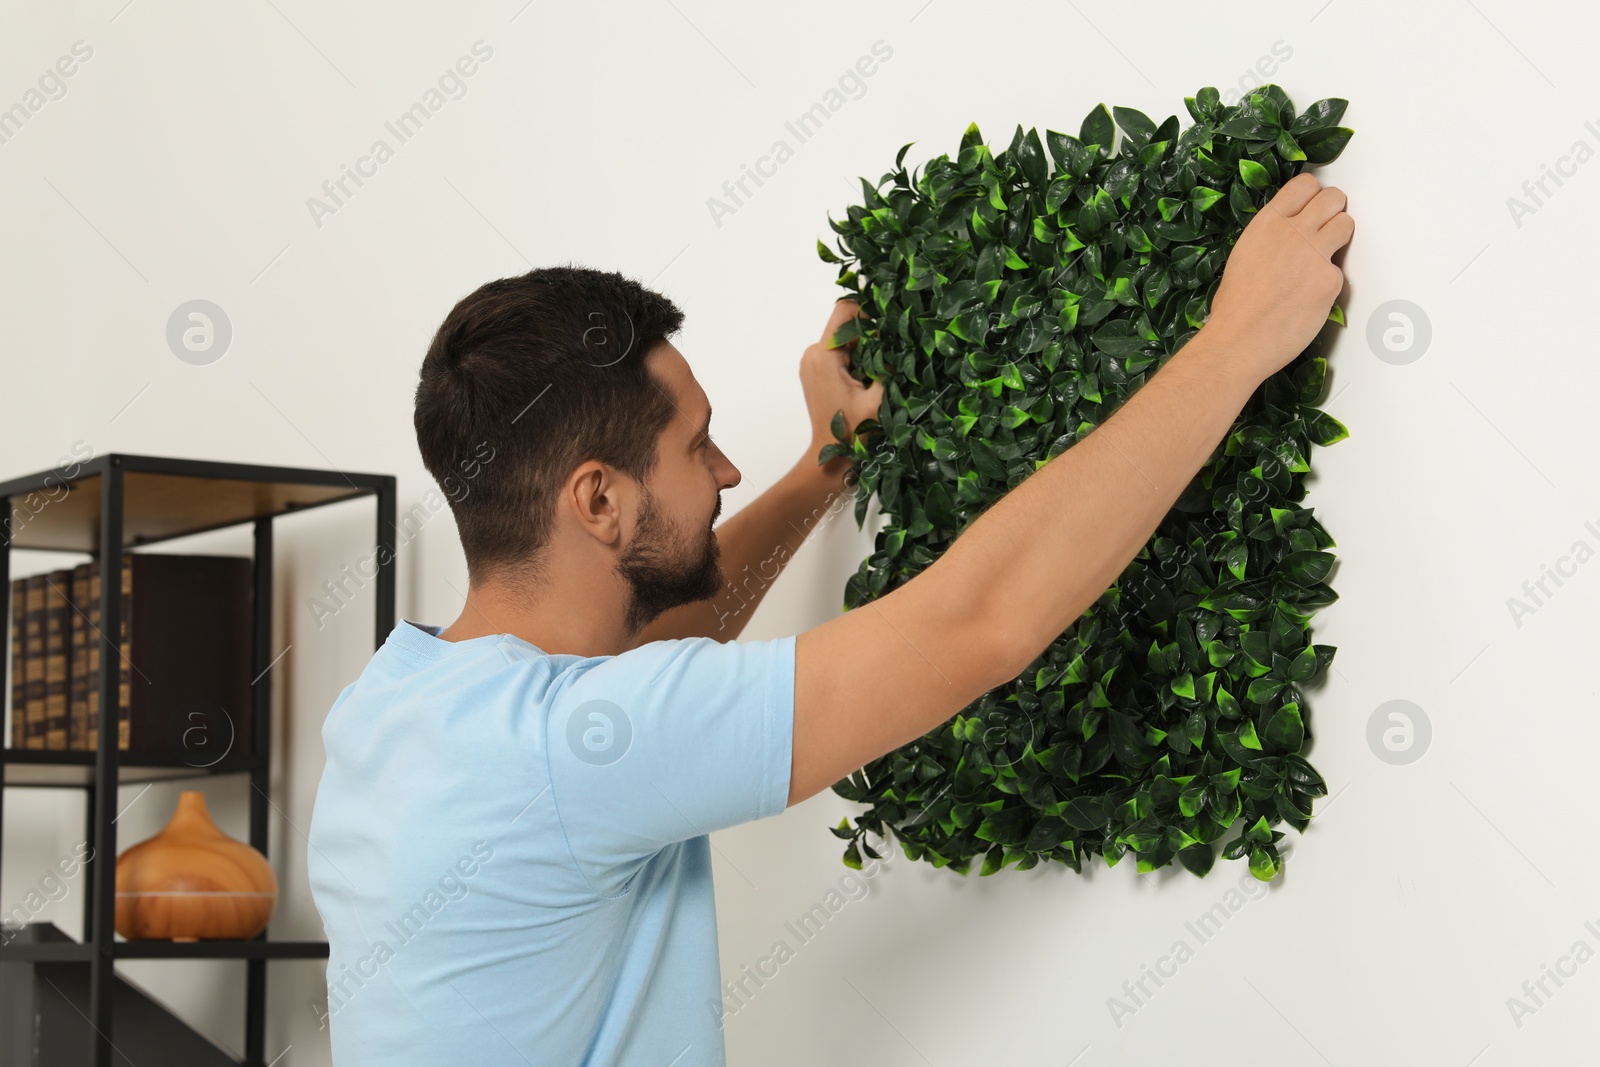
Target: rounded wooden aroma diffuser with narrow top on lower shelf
[[191, 882]]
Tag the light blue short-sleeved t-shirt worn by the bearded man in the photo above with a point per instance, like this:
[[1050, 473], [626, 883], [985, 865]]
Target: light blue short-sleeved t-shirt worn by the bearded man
[[510, 849]]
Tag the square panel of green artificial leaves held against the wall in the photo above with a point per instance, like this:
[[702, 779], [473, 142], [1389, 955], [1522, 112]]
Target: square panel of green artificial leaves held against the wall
[[1010, 303]]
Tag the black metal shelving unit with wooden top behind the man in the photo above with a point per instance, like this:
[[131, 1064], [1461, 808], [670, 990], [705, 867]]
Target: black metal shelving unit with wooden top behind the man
[[110, 505]]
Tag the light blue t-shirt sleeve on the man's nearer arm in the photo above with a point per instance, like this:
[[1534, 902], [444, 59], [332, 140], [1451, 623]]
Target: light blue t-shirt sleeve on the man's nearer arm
[[670, 741]]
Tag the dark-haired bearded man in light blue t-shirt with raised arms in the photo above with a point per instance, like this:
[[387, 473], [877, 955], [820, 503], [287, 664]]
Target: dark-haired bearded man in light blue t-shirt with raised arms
[[510, 839]]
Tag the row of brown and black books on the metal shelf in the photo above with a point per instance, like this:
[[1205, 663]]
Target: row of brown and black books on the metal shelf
[[182, 655]]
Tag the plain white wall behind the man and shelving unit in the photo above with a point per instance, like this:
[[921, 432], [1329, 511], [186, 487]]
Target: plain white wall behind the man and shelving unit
[[180, 164]]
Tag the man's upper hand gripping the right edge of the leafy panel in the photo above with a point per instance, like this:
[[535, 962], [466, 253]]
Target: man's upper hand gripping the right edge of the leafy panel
[[1281, 279]]
